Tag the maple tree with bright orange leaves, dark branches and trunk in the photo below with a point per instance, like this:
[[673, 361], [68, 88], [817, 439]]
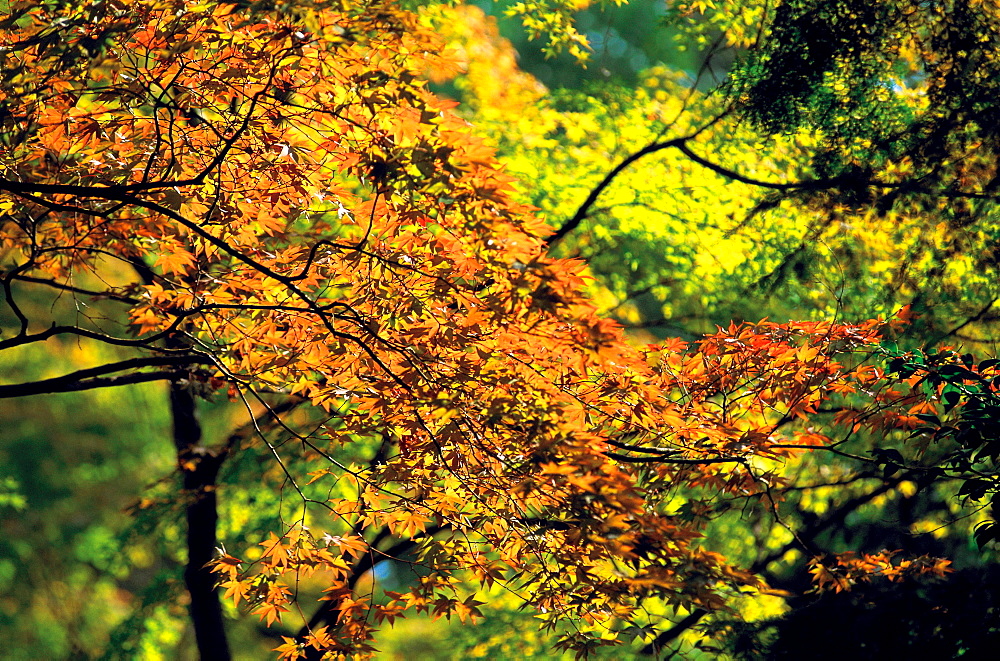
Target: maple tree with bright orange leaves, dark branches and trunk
[[288, 218]]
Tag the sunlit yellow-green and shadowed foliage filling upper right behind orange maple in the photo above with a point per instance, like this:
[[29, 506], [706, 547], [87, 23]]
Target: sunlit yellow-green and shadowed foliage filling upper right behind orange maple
[[902, 213]]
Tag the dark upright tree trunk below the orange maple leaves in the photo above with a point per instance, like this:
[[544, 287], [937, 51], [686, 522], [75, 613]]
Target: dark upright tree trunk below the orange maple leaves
[[199, 466]]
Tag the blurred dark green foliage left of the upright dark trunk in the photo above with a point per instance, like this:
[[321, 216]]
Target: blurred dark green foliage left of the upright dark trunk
[[70, 566]]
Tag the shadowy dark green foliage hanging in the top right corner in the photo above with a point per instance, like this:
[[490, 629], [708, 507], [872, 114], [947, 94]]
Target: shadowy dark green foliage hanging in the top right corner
[[880, 80]]
